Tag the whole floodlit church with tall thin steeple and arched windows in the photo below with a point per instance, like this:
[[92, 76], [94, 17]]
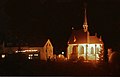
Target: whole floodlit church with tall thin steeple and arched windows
[[82, 44]]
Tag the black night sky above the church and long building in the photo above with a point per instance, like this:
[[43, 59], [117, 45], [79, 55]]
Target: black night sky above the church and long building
[[32, 19]]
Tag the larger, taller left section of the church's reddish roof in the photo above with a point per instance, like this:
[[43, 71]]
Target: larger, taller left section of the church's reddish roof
[[78, 36]]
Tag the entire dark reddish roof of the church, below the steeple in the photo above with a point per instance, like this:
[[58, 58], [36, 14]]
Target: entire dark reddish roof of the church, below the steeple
[[80, 37]]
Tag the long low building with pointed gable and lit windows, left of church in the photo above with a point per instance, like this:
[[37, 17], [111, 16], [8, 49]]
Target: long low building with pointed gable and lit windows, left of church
[[42, 51]]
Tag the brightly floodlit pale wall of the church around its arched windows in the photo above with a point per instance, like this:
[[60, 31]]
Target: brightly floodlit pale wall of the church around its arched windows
[[90, 56]]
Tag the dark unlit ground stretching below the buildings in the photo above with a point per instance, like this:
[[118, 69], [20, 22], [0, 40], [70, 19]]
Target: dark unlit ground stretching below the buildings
[[34, 68]]
